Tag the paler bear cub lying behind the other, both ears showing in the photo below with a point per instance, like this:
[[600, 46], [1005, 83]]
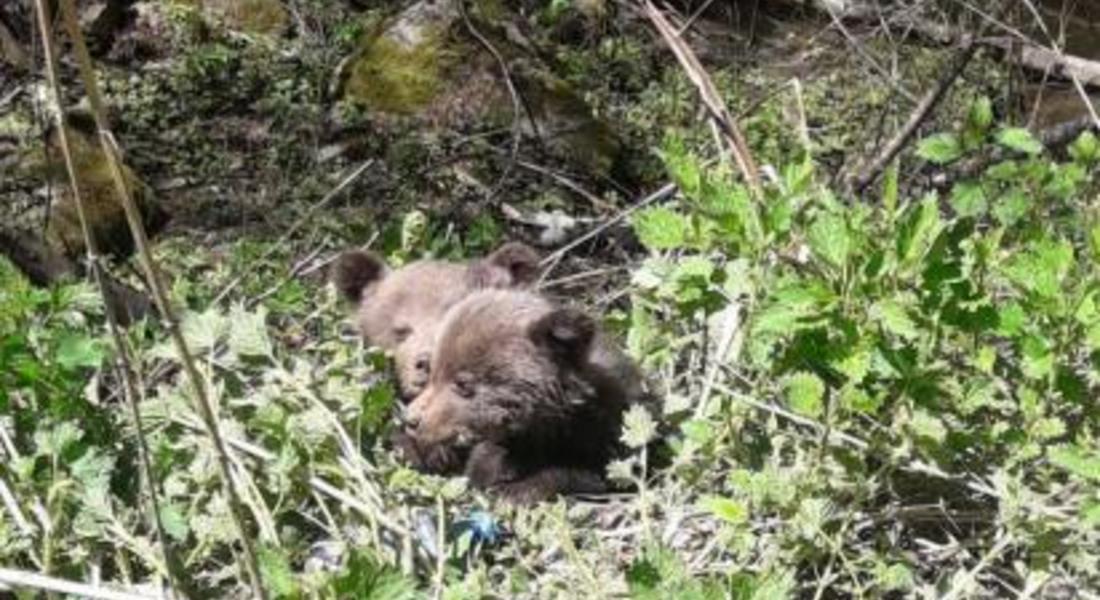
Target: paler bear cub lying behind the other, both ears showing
[[400, 311]]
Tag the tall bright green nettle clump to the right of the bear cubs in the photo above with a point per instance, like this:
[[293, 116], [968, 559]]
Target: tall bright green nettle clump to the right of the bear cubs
[[936, 350]]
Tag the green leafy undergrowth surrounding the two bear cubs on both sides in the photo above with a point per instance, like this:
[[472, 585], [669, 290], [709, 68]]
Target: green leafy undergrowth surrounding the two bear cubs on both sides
[[862, 398]]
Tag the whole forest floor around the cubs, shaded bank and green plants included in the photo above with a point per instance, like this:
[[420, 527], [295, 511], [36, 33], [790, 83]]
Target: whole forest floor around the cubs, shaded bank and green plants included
[[795, 468]]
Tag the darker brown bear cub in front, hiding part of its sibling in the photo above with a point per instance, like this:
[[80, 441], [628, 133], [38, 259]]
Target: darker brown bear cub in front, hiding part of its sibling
[[526, 399]]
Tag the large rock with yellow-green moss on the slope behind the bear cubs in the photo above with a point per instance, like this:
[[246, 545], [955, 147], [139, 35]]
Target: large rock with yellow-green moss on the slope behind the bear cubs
[[425, 64]]
